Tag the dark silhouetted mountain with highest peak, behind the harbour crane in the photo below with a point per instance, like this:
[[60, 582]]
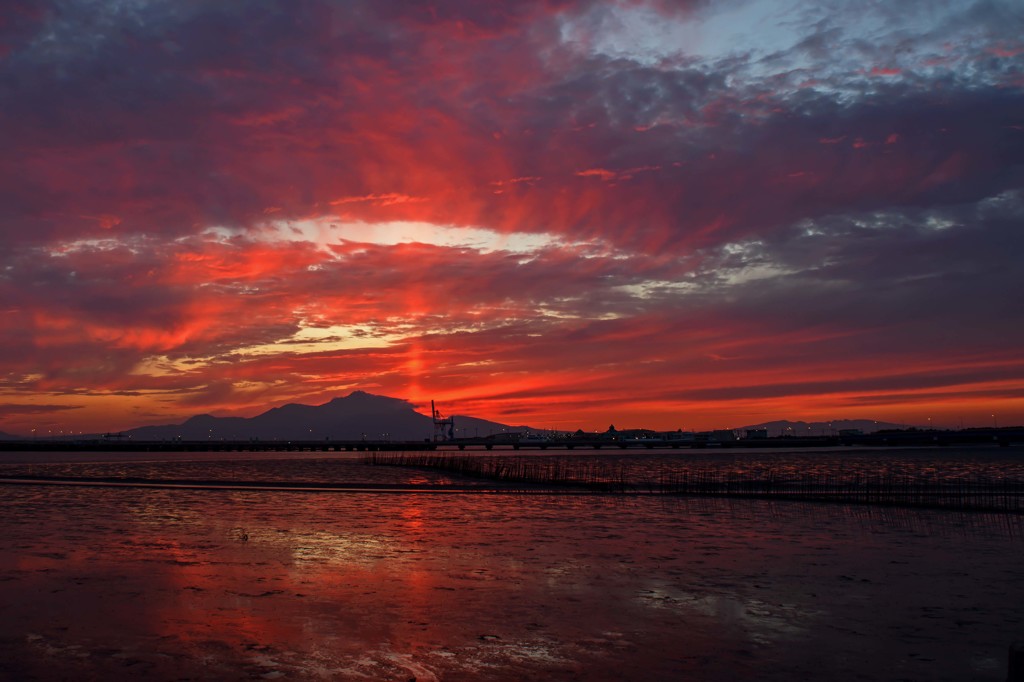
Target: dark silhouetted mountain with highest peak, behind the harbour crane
[[355, 417]]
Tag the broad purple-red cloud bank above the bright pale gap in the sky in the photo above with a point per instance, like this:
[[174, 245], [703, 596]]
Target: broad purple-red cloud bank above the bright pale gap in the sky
[[210, 115]]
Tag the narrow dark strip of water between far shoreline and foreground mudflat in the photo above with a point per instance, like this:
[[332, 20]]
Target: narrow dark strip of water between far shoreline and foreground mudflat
[[635, 466]]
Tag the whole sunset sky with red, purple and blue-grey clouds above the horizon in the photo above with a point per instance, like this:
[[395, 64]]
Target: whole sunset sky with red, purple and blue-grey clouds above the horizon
[[562, 214]]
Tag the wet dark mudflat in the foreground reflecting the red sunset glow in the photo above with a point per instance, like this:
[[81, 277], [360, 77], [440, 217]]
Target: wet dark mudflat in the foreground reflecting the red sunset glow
[[124, 583]]
